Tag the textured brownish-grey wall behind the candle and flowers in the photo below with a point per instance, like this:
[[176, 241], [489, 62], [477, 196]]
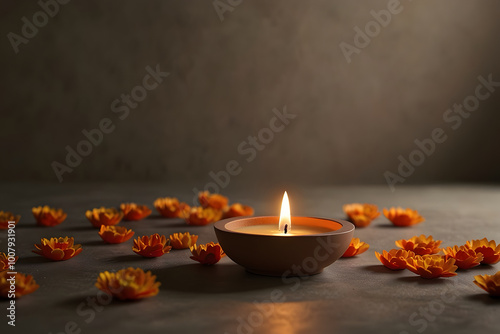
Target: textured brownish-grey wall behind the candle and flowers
[[353, 120]]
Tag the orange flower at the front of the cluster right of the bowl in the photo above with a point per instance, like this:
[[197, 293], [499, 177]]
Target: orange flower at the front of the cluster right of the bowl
[[431, 266]]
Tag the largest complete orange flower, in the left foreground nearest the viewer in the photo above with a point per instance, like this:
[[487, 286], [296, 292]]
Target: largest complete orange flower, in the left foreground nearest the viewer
[[128, 284]]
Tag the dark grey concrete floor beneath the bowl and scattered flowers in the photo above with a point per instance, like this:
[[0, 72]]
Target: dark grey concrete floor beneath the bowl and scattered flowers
[[355, 295]]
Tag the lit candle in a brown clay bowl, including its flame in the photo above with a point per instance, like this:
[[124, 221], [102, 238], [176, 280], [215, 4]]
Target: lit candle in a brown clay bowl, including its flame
[[284, 245]]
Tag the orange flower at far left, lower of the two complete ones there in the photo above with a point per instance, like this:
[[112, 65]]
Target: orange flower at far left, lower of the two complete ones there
[[58, 249]]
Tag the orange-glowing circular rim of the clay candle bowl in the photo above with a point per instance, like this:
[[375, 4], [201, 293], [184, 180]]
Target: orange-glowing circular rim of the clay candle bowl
[[347, 227]]
